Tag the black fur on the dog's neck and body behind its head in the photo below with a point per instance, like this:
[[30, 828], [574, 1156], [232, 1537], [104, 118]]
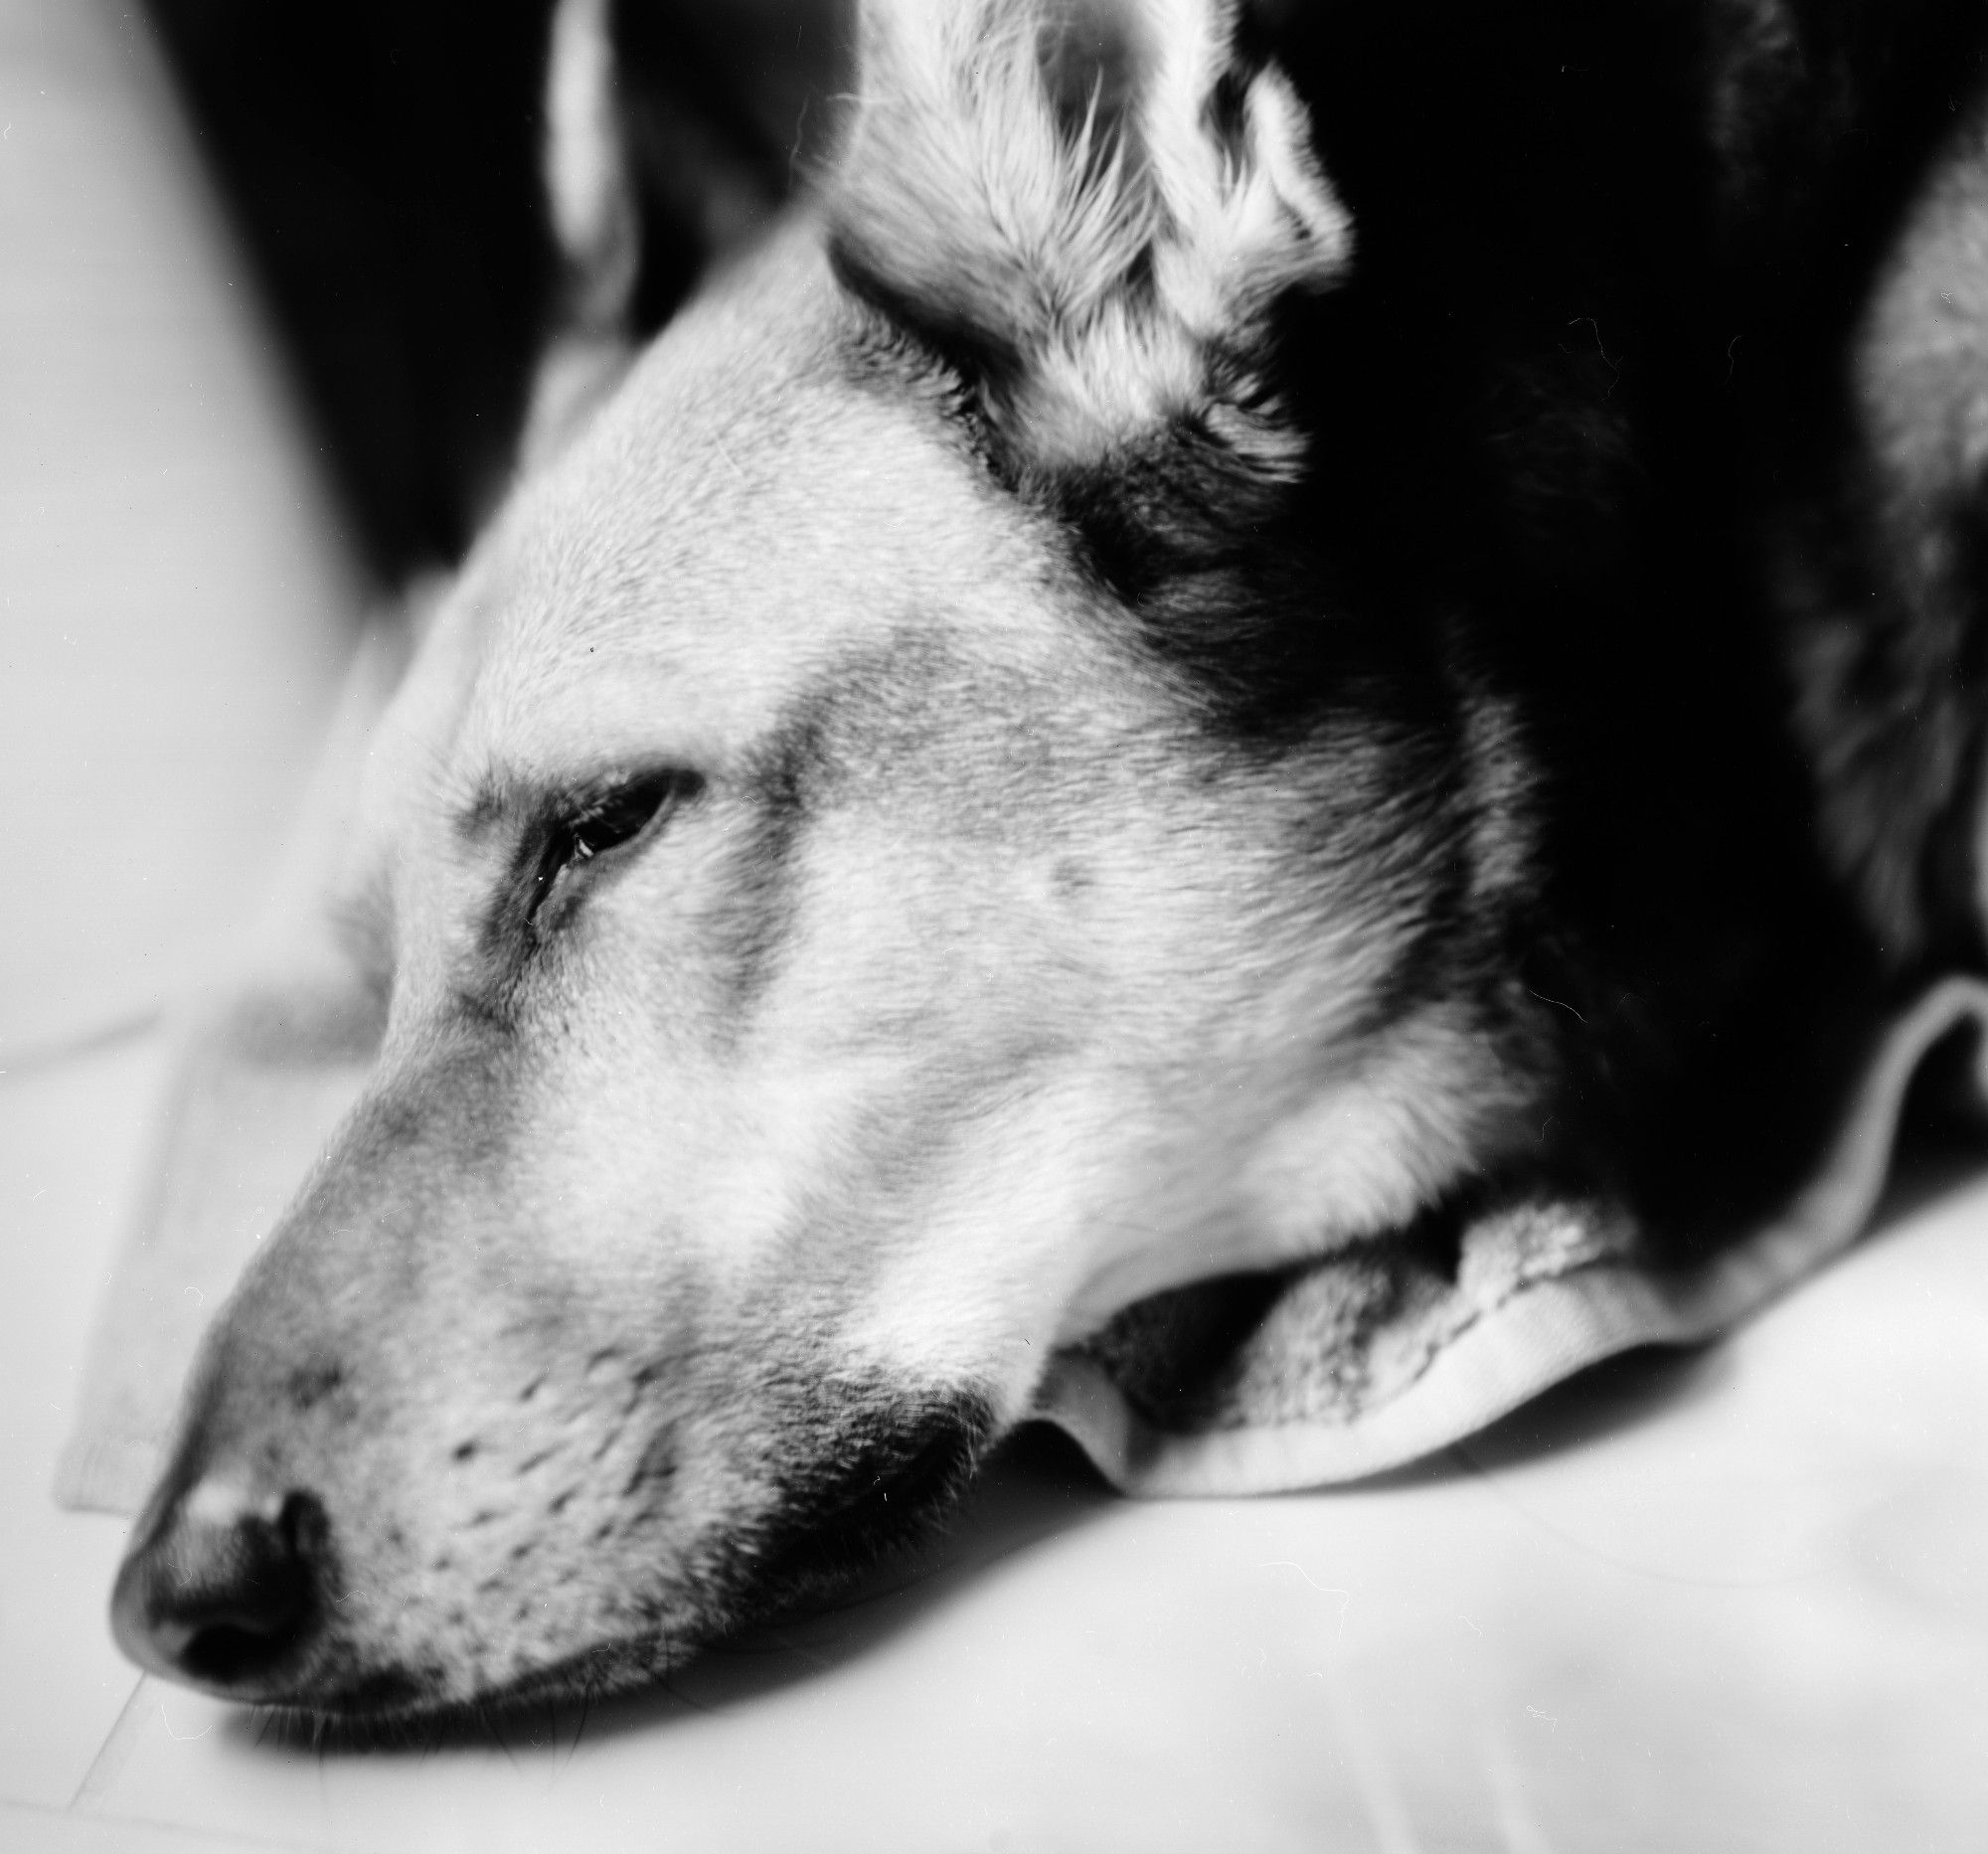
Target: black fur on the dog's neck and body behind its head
[[1589, 361]]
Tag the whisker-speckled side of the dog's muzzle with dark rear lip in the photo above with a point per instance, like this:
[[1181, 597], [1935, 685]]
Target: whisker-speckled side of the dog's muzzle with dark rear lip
[[631, 1511]]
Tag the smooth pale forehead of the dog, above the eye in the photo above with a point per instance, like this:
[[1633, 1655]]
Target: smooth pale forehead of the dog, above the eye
[[746, 514]]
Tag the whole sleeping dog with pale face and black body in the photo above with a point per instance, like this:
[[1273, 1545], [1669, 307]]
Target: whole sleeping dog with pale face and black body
[[1242, 624]]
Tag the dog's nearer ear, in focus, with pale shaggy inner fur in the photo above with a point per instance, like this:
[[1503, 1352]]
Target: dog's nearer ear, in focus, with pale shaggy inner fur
[[1092, 212]]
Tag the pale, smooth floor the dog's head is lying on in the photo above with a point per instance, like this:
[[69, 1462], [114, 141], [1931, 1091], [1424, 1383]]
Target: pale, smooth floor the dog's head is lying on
[[1727, 1602]]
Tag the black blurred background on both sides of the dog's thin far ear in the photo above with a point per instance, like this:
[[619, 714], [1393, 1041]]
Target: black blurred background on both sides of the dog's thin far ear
[[381, 164]]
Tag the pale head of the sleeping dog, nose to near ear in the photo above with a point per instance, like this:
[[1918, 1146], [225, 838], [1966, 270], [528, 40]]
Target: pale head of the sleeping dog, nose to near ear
[[840, 936]]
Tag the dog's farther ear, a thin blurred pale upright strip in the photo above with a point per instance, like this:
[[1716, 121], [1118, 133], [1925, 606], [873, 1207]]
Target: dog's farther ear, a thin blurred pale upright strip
[[595, 220]]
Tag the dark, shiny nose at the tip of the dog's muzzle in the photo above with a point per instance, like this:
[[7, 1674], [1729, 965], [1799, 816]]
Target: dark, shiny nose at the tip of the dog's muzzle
[[224, 1590]]
